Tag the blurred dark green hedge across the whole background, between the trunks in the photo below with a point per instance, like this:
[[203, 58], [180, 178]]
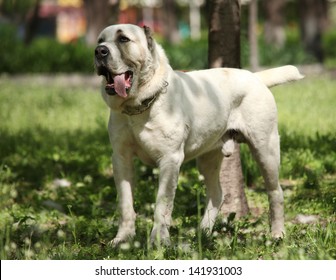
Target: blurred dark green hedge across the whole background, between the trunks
[[46, 55]]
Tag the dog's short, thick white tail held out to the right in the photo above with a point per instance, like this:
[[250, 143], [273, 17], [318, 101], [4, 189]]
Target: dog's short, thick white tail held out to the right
[[280, 75]]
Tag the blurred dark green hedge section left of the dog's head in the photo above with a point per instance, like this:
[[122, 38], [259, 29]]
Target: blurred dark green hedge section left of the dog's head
[[43, 55]]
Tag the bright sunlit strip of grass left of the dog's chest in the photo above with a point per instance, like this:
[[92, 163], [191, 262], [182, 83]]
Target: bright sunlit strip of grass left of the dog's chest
[[53, 107]]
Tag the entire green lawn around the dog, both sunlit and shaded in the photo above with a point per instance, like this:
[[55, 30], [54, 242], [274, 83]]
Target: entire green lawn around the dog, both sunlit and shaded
[[58, 199]]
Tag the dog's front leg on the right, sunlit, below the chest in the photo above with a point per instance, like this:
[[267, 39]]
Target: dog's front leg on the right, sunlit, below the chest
[[169, 170]]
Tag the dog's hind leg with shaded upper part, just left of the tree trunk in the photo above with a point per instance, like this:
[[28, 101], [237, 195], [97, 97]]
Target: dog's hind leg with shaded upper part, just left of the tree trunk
[[209, 166]]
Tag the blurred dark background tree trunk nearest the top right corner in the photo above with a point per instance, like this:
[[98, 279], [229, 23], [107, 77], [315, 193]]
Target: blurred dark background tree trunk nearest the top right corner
[[313, 21]]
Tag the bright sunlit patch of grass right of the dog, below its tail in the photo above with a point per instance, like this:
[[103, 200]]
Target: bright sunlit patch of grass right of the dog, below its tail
[[307, 106]]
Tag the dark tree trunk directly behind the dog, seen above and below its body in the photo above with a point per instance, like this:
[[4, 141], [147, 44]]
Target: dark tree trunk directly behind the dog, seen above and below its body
[[224, 51]]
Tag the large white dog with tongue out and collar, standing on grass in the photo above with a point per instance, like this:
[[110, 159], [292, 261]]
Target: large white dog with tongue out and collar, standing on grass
[[166, 117]]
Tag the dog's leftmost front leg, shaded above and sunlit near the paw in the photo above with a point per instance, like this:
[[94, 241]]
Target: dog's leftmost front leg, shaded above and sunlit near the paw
[[123, 177]]
